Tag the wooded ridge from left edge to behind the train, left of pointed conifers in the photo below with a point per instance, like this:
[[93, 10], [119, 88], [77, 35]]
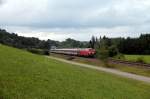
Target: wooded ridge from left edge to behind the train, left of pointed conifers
[[14, 40]]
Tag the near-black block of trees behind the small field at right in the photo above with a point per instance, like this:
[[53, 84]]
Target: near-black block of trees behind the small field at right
[[139, 45]]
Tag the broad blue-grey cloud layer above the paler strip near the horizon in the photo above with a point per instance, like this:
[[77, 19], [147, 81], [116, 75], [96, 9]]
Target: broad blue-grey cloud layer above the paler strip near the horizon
[[77, 14]]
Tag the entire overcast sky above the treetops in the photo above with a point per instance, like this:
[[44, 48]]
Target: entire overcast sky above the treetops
[[77, 19]]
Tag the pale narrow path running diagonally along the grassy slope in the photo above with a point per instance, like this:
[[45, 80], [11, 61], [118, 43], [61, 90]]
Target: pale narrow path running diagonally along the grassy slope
[[117, 72]]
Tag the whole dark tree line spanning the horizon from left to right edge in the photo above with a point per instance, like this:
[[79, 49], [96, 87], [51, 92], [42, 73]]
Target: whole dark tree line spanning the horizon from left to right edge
[[111, 46]]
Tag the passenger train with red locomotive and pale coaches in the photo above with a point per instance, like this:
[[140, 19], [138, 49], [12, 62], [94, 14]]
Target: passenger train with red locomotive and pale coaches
[[85, 52]]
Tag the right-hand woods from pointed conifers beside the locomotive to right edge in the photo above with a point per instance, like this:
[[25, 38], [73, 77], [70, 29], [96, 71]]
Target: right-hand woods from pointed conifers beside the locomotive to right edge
[[139, 45]]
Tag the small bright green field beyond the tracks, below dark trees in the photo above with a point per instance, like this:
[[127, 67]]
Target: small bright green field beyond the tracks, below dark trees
[[146, 58]]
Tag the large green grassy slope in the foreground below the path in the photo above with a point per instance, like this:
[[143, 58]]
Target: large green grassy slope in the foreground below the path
[[27, 76]]
